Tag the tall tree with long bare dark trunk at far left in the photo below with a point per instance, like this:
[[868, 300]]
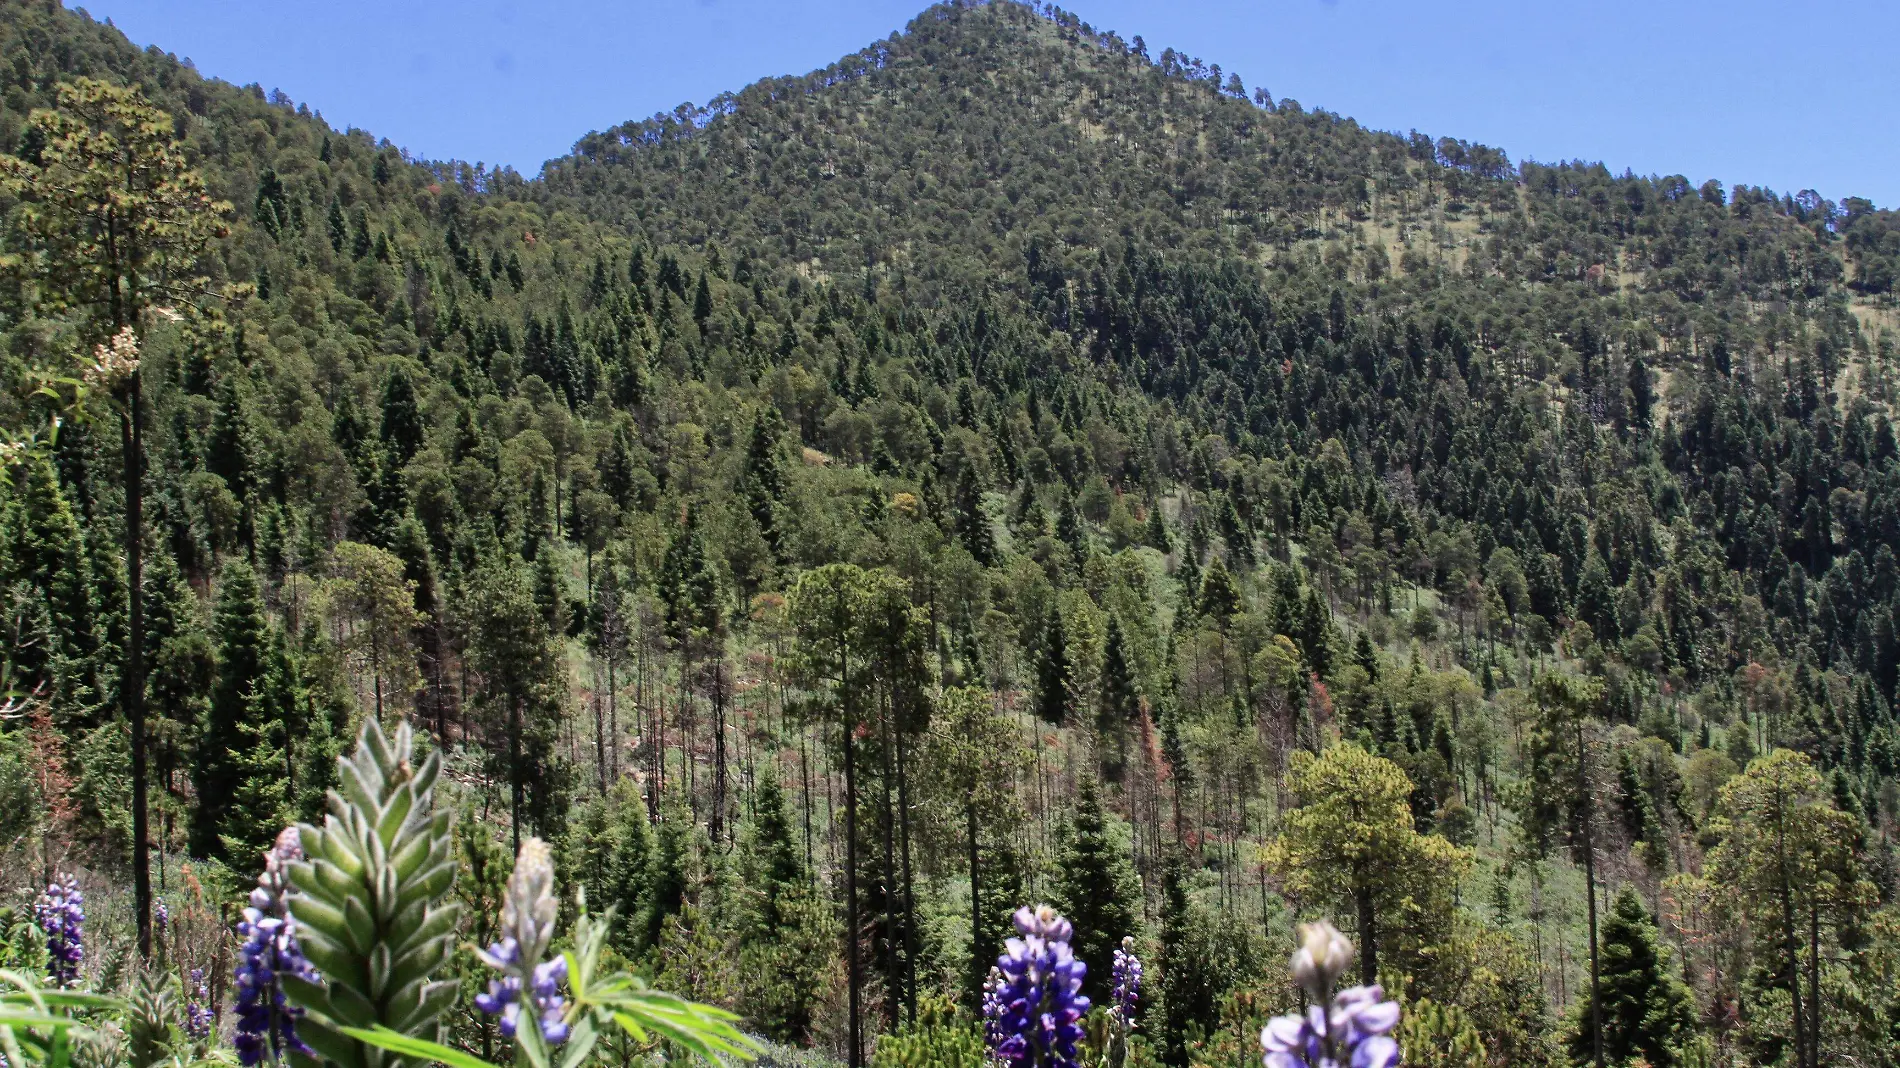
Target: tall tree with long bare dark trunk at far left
[[113, 221]]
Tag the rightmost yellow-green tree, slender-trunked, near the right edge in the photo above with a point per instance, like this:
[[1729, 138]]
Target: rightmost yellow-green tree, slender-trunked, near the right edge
[[1789, 864]]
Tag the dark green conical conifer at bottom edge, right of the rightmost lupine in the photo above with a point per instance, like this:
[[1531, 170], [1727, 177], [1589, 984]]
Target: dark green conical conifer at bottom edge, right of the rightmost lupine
[[1648, 1012]]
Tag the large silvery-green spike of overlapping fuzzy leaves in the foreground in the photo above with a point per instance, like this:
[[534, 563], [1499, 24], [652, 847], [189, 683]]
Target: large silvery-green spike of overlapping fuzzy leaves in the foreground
[[371, 907]]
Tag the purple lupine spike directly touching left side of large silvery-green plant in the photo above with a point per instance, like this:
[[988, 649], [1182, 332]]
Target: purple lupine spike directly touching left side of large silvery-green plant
[[267, 1021]]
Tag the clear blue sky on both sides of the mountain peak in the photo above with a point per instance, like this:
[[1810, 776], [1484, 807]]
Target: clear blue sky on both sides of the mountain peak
[[1789, 96]]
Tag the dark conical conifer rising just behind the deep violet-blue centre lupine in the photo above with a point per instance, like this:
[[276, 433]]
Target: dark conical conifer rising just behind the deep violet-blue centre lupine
[[1095, 887]]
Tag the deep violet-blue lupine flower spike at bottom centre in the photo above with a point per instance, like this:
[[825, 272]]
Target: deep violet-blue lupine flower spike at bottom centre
[[1040, 1001]]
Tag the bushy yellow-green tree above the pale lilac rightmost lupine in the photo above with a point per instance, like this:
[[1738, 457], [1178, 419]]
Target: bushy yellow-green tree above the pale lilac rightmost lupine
[[1350, 849]]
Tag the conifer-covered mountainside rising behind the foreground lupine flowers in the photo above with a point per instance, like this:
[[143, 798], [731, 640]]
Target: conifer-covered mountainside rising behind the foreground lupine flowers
[[1000, 468]]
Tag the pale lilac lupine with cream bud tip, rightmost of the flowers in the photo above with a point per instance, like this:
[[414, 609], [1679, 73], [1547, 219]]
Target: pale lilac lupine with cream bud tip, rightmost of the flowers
[[1352, 1029]]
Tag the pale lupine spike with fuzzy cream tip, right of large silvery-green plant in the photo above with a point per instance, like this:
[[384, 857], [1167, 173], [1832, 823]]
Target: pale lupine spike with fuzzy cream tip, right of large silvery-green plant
[[527, 930]]
